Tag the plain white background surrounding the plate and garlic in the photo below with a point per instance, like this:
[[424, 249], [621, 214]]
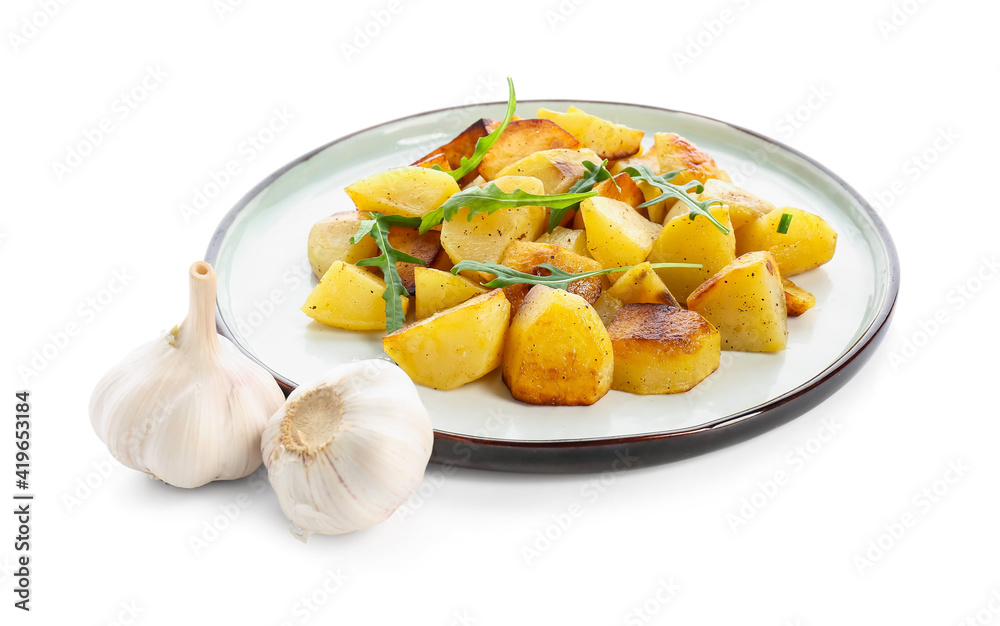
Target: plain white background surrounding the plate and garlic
[[120, 550]]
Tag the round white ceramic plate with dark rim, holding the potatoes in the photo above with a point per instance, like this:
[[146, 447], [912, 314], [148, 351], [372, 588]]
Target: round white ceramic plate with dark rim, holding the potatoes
[[259, 253]]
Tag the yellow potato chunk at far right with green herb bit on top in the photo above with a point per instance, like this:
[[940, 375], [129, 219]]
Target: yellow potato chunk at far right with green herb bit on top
[[809, 242]]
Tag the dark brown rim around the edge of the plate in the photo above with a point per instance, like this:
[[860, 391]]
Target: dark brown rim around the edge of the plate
[[614, 453]]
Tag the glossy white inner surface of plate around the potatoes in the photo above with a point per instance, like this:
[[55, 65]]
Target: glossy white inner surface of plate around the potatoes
[[264, 278]]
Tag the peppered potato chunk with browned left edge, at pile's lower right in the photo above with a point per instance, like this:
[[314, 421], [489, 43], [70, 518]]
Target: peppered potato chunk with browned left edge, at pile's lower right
[[745, 301]]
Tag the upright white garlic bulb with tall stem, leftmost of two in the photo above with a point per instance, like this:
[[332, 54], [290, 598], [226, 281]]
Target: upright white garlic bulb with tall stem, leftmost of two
[[189, 407]]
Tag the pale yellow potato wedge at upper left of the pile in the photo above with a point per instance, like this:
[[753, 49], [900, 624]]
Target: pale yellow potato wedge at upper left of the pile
[[409, 191]]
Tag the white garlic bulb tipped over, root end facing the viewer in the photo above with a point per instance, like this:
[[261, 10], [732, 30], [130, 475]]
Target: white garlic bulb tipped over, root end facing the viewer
[[350, 448]]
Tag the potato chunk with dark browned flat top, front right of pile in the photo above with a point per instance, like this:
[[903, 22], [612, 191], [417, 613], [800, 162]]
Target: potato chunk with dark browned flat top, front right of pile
[[662, 349]]
